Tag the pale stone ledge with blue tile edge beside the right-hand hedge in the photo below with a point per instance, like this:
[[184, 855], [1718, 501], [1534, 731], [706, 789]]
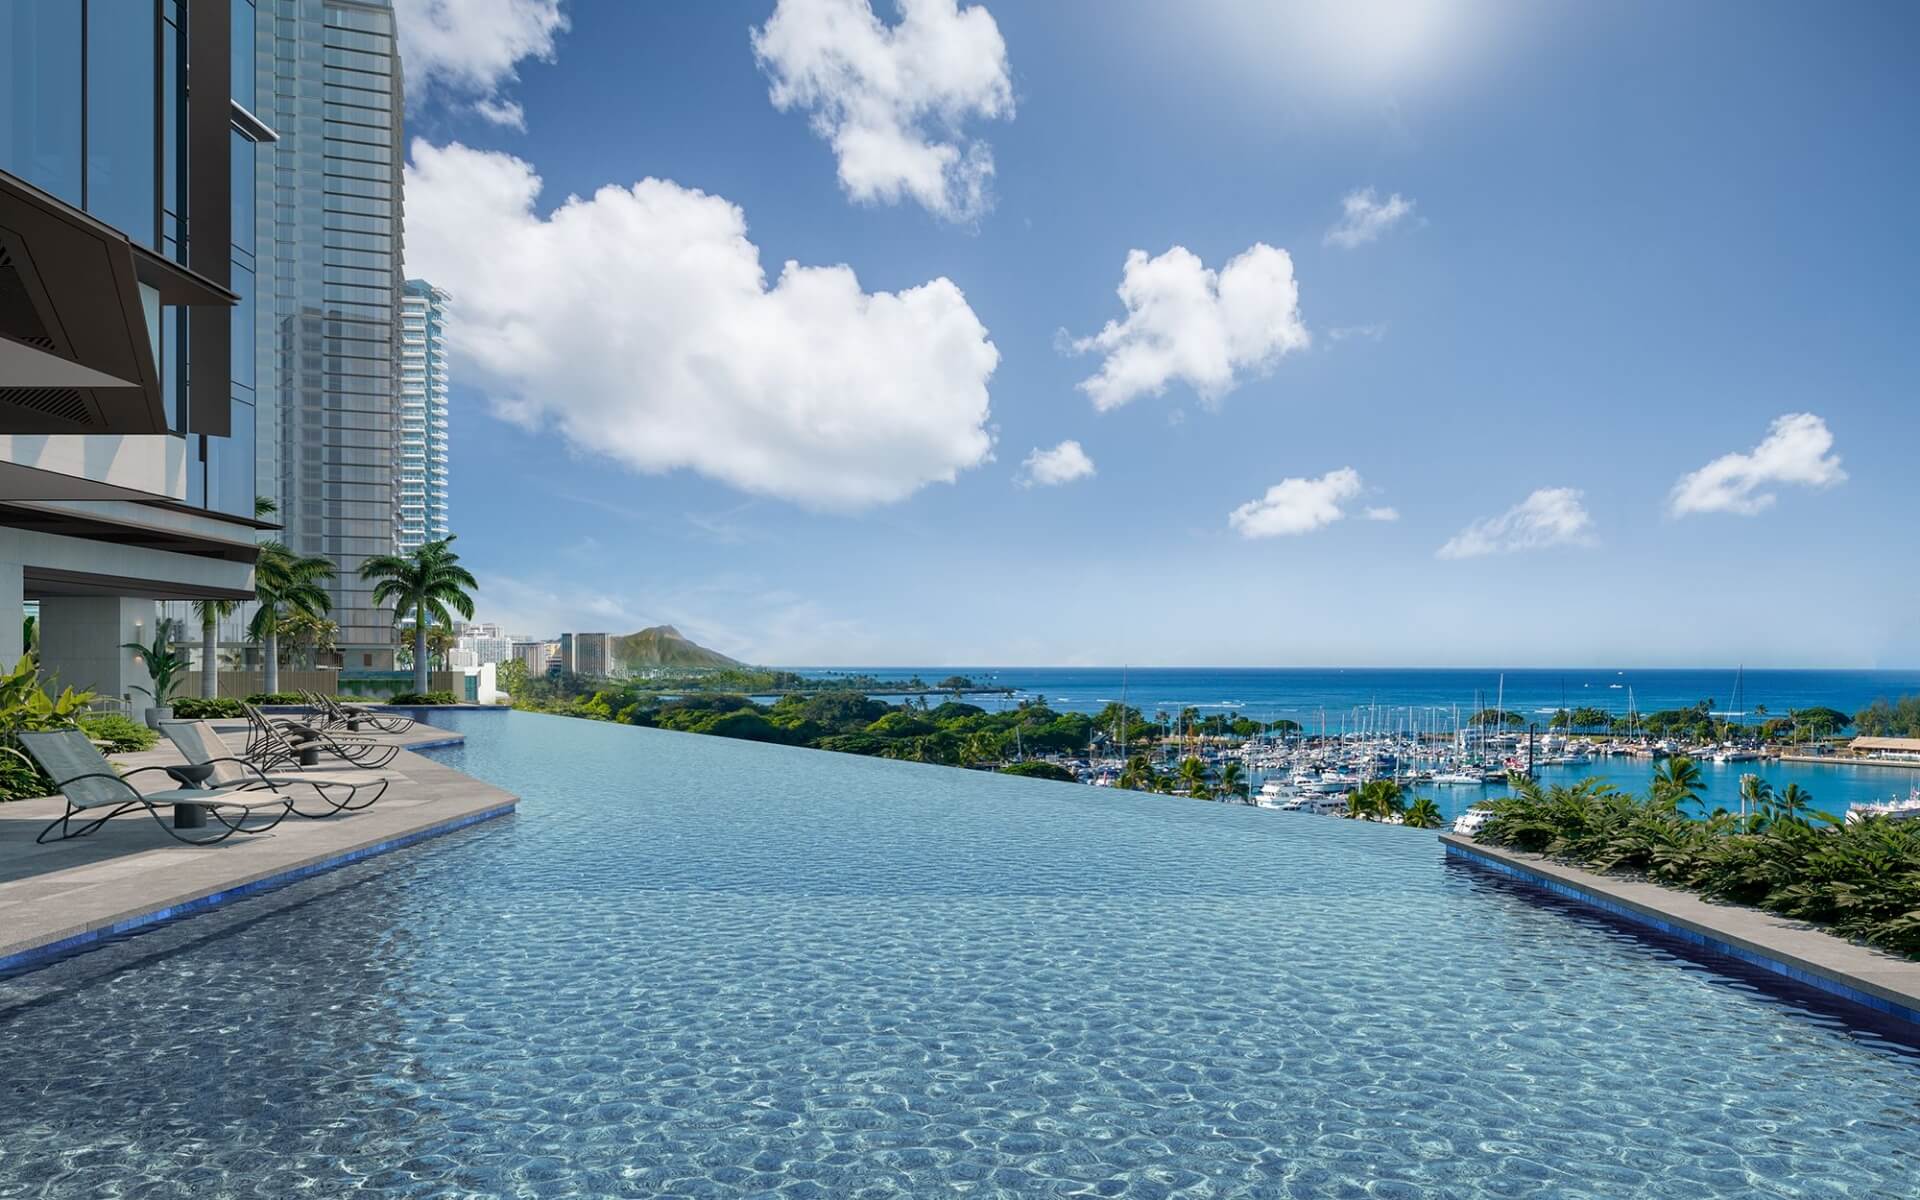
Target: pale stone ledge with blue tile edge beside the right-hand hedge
[[1798, 951]]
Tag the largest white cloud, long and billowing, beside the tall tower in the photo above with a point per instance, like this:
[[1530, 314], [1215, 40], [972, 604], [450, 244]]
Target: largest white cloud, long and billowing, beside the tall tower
[[640, 325]]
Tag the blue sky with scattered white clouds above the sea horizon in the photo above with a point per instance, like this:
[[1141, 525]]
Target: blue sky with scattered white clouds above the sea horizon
[[1627, 243]]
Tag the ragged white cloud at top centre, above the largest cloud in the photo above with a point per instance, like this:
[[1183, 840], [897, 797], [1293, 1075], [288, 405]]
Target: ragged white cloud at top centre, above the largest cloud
[[894, 101]]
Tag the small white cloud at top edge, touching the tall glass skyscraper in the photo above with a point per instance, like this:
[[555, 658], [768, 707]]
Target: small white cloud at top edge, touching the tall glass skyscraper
[[471, 49]]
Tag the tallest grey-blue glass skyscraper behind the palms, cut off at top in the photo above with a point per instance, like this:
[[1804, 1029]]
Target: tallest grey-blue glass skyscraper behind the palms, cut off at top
[[329, 84]]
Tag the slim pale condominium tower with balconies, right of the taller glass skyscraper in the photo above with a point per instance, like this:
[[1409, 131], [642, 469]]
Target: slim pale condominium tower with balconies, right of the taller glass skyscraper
[[421, 471]]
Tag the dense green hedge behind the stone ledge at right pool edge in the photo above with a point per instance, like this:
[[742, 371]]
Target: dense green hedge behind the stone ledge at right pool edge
[[1863, 880]]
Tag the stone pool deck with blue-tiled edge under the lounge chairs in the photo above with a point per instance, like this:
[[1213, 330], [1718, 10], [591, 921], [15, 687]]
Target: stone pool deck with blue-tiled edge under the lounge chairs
[[62, 898]]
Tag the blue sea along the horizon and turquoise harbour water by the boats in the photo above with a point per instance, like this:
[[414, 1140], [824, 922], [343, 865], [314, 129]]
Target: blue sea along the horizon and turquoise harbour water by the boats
[[1393, 698]]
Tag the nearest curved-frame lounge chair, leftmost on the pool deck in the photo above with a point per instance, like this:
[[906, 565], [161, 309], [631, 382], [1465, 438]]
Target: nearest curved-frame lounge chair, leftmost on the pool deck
[[91, 784]]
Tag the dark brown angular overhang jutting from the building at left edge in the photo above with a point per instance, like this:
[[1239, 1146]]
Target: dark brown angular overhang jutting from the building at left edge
[[76, 343]]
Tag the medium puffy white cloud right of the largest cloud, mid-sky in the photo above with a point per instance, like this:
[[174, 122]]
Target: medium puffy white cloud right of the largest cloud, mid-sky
[[1195, 325]]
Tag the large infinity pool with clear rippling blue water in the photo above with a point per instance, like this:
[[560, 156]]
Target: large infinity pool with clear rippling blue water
[[713, 969]]
